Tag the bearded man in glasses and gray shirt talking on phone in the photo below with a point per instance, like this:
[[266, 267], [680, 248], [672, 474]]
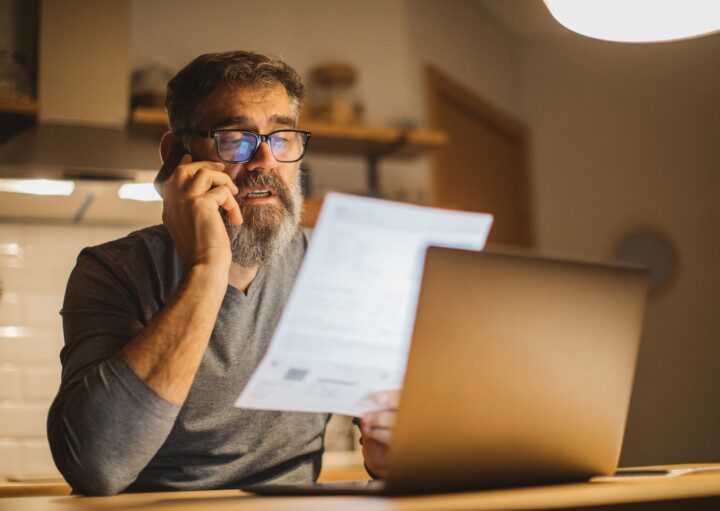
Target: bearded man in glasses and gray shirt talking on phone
[[164, 327]]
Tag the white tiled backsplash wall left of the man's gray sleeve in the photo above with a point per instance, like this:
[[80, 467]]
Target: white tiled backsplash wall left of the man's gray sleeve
[[35, 262]]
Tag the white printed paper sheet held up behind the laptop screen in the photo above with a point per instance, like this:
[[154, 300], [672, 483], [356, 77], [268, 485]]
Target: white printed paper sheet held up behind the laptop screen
[[346, 329]]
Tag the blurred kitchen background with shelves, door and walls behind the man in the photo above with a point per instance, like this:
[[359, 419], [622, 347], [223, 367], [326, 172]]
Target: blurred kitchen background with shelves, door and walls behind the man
[[613, 154]]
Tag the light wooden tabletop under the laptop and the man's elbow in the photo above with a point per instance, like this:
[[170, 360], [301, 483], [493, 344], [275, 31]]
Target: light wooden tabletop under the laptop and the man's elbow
[[679, 493]]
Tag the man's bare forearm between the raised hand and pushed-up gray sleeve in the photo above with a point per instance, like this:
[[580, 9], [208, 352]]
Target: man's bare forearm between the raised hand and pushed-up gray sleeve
[[167, 353]]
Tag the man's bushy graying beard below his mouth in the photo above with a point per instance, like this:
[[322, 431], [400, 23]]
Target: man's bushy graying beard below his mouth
[[267, 230]]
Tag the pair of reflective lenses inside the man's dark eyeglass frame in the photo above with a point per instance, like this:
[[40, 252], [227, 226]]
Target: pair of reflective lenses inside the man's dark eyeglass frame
[[238, 146]]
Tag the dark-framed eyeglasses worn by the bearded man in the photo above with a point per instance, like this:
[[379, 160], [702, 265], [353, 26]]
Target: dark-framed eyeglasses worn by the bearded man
[[240, 146]]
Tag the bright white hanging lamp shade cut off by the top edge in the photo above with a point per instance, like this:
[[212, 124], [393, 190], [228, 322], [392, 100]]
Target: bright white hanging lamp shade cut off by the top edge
[[638, 20]]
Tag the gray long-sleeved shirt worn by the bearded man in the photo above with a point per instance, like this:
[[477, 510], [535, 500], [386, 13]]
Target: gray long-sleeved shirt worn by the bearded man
[[110, 432]]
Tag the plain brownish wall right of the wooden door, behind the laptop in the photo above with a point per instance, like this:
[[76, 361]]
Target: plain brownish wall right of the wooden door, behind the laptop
[[625, 137]]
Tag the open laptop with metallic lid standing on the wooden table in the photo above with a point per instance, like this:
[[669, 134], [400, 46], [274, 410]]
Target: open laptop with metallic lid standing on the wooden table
[[520, 373]]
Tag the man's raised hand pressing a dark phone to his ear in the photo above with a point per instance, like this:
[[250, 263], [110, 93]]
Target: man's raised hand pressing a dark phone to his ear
[[192, 194]]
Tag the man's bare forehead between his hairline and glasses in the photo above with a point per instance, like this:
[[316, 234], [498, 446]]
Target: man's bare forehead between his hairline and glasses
[[264, 104]]
